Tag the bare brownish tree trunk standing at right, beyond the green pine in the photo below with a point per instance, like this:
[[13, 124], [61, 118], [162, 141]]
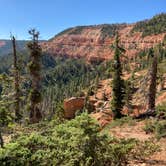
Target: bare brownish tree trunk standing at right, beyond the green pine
[[153, 78]]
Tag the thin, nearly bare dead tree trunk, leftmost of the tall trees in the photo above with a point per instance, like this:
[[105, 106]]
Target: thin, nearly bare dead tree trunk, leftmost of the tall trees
[[16, 82]]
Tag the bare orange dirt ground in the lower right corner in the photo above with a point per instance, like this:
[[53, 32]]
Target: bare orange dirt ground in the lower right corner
[[136, 131]]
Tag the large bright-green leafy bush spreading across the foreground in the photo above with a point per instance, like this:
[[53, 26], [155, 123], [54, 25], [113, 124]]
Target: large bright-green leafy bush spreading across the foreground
[[76, 142]]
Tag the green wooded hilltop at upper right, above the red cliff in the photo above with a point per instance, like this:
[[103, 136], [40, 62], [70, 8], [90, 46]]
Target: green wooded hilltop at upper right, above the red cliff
[[154, 26]]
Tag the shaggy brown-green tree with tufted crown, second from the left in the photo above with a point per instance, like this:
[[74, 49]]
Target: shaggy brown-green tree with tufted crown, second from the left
[[34, 69]]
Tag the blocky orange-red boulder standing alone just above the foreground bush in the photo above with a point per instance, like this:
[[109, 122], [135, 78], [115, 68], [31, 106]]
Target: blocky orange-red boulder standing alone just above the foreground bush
[[72, 105]]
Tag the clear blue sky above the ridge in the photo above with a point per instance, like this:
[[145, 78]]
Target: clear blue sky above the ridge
[[53, 16]]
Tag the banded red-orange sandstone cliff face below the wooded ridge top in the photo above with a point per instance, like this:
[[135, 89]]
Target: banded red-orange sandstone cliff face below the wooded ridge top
[[89, 43]]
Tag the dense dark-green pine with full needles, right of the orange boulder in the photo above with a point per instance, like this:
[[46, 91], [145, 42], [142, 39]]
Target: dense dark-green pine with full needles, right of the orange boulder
[[118, 91]]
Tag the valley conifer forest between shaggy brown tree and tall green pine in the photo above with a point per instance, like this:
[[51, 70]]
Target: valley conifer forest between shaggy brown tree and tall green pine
[[68, 78]]
